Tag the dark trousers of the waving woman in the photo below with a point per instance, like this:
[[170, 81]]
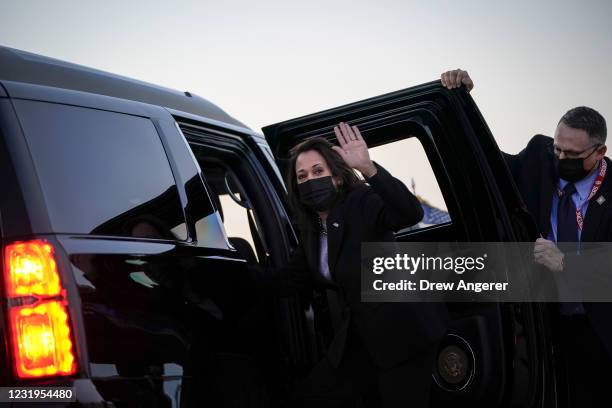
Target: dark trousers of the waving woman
[[357, 382]]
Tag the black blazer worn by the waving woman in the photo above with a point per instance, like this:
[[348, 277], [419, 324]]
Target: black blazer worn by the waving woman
[[391, 332]]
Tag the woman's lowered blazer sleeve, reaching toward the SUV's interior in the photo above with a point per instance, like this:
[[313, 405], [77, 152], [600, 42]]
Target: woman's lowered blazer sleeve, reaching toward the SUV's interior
[[288, 280]]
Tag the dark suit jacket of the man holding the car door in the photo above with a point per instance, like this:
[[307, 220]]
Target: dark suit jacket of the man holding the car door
[[534, 174]]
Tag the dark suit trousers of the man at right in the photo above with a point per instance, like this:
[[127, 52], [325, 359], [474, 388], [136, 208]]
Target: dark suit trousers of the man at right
[[586, 361]]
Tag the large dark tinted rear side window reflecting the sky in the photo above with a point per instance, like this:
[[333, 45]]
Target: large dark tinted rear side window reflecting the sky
[[102, 173]]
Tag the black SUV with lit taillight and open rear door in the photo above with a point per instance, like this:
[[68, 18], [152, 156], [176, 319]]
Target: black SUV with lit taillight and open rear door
[[130, 212]]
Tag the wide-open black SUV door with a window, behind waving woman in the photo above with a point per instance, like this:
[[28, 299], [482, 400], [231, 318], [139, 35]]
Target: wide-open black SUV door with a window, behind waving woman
[[436, 141]]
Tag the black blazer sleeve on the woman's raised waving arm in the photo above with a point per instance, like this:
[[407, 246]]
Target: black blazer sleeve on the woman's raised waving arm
[[388, 204]]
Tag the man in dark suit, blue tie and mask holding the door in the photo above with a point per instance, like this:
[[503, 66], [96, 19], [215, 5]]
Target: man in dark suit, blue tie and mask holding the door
[[565, 185]]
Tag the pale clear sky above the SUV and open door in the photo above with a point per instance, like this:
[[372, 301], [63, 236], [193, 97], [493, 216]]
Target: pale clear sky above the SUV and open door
[[267, 61]]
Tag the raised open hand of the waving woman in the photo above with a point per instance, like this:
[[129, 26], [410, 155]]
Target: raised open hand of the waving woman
[[353, 149]]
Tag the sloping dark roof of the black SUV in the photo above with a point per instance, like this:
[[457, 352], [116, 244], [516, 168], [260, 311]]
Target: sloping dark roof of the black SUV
[[22, 66]]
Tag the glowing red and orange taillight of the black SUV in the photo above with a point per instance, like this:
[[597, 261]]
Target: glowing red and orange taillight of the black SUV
[[40, 331]]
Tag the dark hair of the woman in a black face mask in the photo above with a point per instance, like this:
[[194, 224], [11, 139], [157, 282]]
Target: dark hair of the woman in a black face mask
[[348, 179]]
